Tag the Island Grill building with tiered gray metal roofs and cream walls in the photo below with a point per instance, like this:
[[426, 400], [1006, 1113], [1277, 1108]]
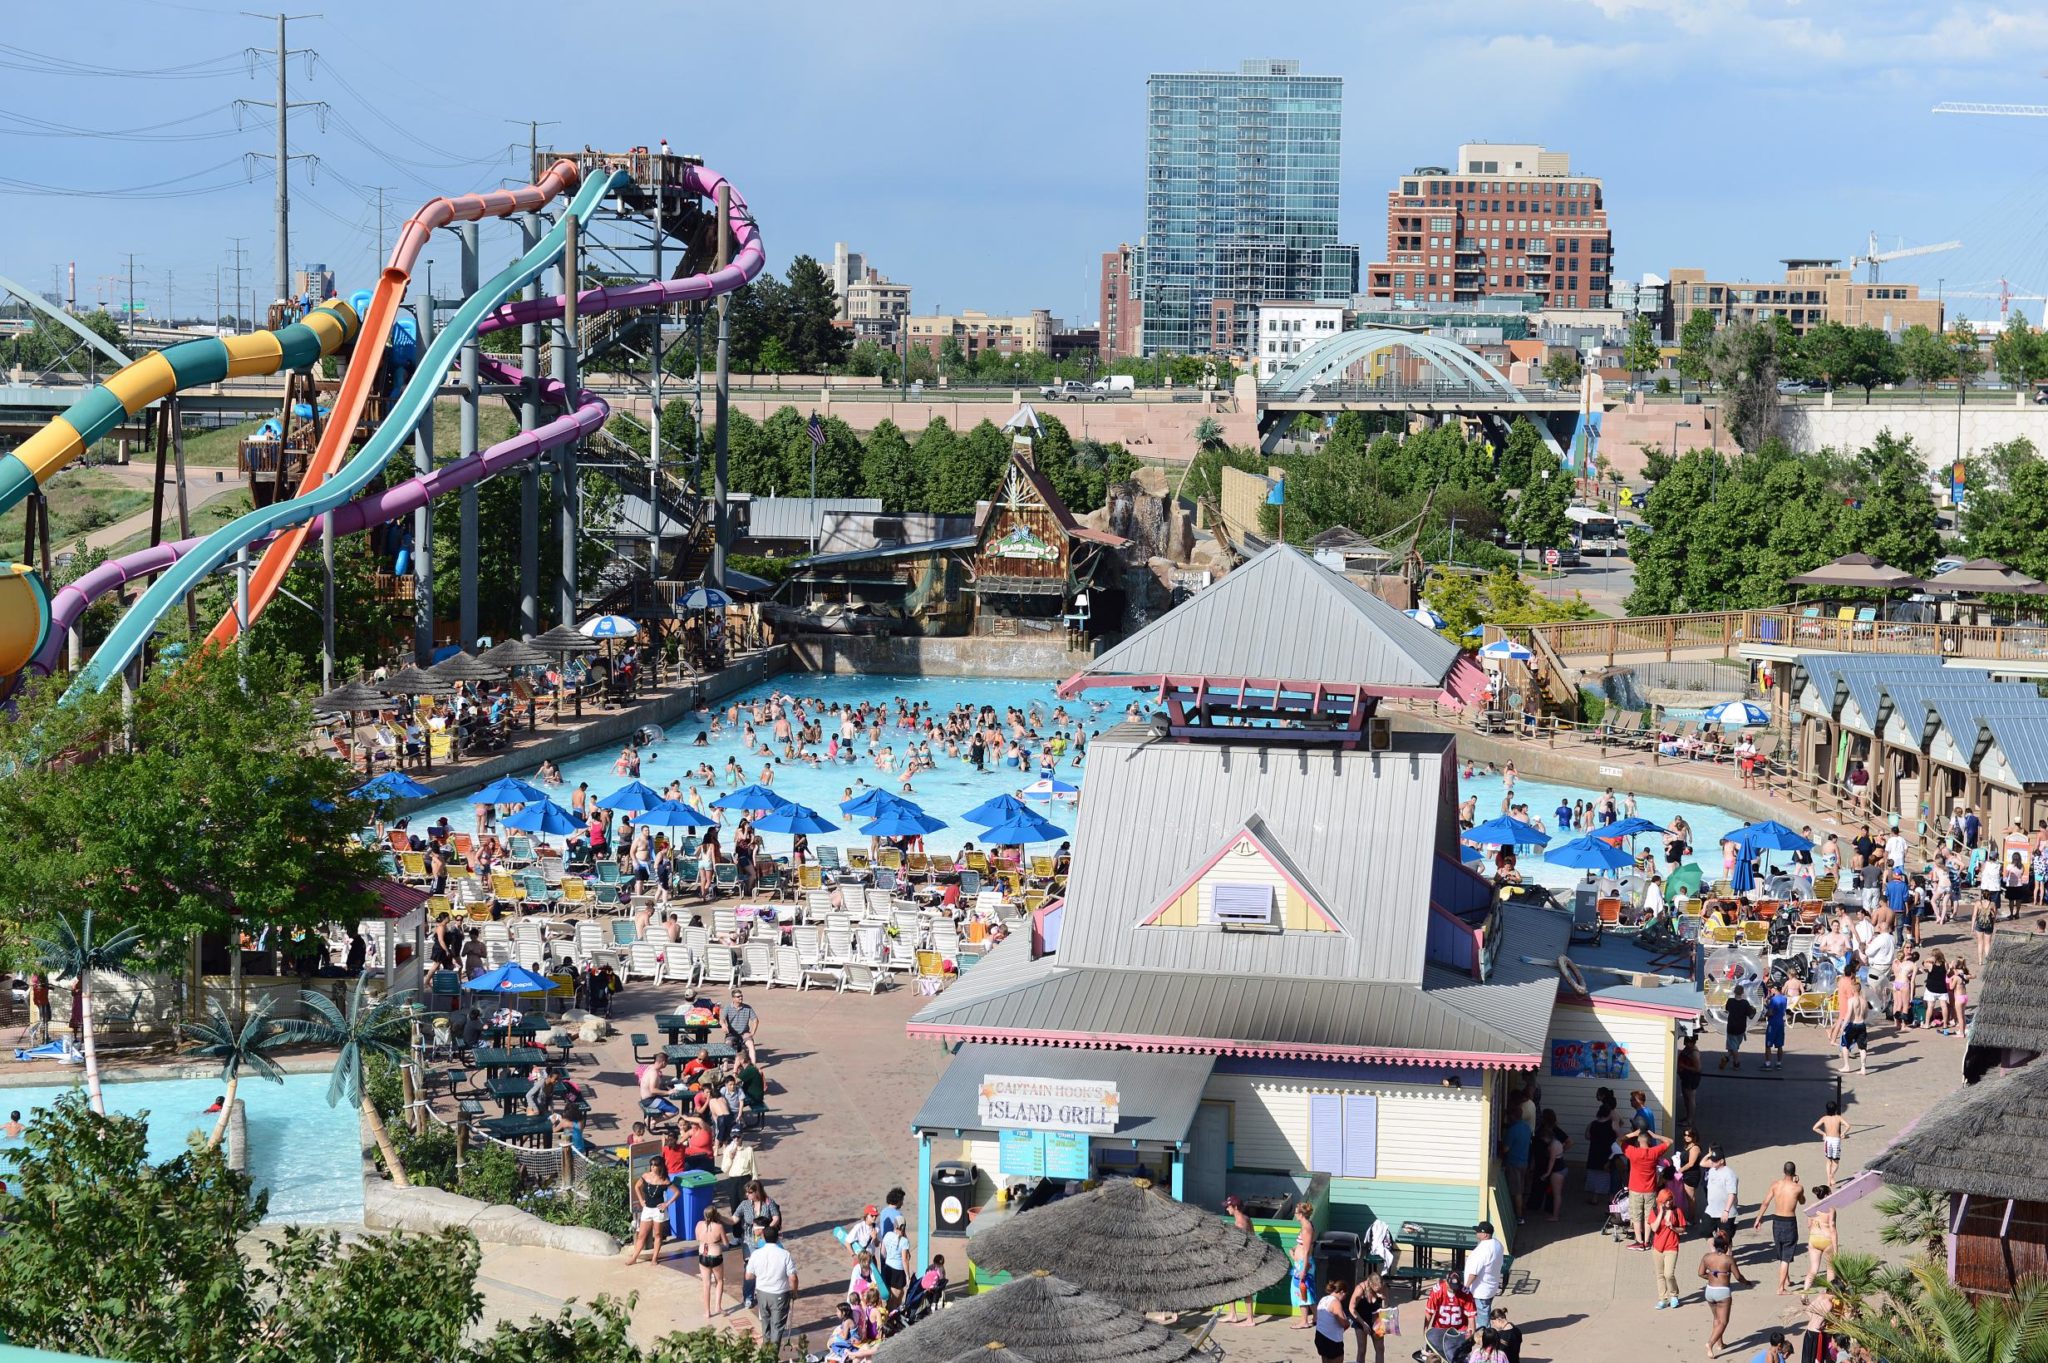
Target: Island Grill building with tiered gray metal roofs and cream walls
[[1269, 902]]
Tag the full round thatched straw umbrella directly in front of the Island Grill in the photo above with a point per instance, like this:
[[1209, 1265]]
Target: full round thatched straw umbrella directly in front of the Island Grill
[[1138, 1247]]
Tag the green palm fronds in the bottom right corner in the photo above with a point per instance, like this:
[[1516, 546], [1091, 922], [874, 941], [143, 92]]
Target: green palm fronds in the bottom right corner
[[1932, 1321]]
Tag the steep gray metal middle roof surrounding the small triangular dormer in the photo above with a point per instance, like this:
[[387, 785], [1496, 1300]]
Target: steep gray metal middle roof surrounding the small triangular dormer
[[1361, 830]]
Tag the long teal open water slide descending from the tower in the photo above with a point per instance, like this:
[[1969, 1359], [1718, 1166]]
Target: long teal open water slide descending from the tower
[[413, 406]]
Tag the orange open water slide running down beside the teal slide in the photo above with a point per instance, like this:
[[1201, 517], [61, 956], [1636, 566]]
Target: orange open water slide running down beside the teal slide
[[357, 384]]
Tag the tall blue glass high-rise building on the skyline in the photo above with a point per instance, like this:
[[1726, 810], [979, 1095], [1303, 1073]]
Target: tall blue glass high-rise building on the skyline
[[1240, 204]]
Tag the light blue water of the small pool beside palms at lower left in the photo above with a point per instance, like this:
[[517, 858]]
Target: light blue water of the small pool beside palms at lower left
[[308, 1155]]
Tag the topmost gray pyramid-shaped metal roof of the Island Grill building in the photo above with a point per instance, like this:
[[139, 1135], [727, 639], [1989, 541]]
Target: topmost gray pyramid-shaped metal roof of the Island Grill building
[[1285, 617]]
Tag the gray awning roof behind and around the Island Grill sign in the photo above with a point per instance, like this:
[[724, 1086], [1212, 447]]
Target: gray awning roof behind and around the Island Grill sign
[[1156, 1096]]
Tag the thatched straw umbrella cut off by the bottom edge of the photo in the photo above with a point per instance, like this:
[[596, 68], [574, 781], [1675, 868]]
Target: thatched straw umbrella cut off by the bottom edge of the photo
[[1043, 1317]]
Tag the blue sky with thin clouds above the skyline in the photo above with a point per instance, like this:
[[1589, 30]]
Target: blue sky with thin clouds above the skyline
[[990, 159]]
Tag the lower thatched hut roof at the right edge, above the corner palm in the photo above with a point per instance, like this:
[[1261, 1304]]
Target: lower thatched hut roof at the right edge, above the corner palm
[[1986, 1141]]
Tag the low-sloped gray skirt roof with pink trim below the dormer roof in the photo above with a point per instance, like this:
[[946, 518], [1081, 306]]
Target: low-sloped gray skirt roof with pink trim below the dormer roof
[[1312, 1016]]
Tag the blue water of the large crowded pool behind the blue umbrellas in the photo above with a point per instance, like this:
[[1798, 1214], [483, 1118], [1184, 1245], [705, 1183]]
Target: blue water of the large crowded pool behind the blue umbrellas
[[955, 787]]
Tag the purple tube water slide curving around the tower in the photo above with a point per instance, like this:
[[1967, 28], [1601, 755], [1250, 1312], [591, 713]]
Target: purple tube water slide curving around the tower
[[407, 498]]
